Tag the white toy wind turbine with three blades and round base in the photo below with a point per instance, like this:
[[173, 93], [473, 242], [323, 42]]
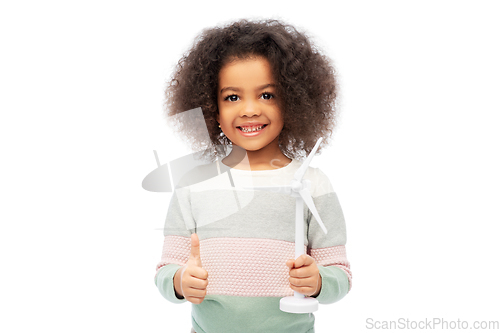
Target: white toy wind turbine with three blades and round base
[[299, 189]]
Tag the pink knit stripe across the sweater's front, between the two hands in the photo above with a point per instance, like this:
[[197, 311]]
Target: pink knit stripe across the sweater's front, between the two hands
[[247, 266]]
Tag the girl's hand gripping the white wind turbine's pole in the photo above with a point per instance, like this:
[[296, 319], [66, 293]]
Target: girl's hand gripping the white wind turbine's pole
[[304, 275]]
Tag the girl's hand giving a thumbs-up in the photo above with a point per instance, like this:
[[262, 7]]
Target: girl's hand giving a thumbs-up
[[191, 281]]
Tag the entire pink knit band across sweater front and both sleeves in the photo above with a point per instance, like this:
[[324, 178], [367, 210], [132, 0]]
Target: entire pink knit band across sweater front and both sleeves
[[247, 266]]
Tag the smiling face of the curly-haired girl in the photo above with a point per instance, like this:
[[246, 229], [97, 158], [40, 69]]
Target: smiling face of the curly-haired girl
[[247, 101]]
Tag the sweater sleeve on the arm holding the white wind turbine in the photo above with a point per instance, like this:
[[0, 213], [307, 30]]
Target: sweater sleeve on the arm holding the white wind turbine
[[329, 250]]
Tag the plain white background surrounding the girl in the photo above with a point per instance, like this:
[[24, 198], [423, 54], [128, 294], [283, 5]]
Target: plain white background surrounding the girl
[[414, 159]]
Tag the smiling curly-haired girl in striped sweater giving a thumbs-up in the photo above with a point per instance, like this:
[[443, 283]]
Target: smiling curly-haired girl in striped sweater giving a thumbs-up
[[266, 95]]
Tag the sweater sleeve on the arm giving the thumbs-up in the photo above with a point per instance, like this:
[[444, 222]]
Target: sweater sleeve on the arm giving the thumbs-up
[[176, 244]]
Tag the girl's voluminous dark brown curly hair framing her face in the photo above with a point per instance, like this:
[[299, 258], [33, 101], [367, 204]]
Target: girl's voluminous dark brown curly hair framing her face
[[305, 78]]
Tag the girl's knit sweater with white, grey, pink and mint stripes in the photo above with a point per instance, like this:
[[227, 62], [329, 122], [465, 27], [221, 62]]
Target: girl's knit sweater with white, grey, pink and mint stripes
[[246, 237]]
